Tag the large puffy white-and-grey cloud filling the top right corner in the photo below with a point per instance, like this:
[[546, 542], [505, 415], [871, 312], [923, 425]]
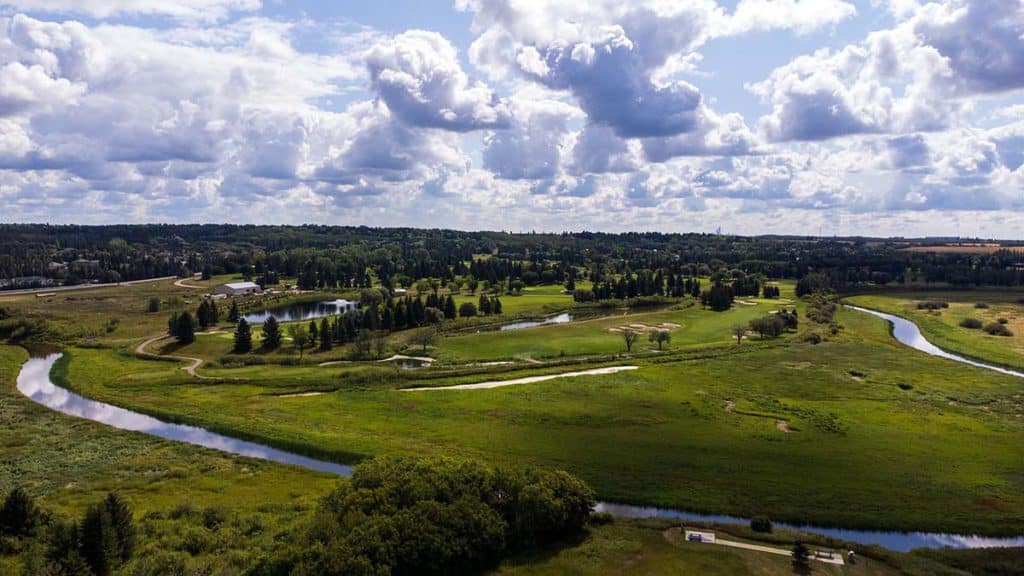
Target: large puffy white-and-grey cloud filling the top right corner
[[911, 78]]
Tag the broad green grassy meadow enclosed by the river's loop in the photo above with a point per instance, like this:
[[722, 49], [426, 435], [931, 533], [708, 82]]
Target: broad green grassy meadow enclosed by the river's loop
[[943, 452]]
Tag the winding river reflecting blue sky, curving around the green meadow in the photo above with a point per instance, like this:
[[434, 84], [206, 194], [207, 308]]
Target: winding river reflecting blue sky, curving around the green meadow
[[34, 382]]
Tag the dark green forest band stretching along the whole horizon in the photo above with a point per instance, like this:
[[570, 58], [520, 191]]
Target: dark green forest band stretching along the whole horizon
[[618, 265]]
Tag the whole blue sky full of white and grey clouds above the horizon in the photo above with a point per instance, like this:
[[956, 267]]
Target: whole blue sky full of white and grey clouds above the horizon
[[812, 117]]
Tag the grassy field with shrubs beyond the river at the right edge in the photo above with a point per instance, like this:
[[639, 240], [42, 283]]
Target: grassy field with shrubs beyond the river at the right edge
[[944, 328]]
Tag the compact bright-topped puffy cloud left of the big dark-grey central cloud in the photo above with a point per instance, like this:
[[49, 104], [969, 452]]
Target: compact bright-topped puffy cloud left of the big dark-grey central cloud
[[419, 76]]
